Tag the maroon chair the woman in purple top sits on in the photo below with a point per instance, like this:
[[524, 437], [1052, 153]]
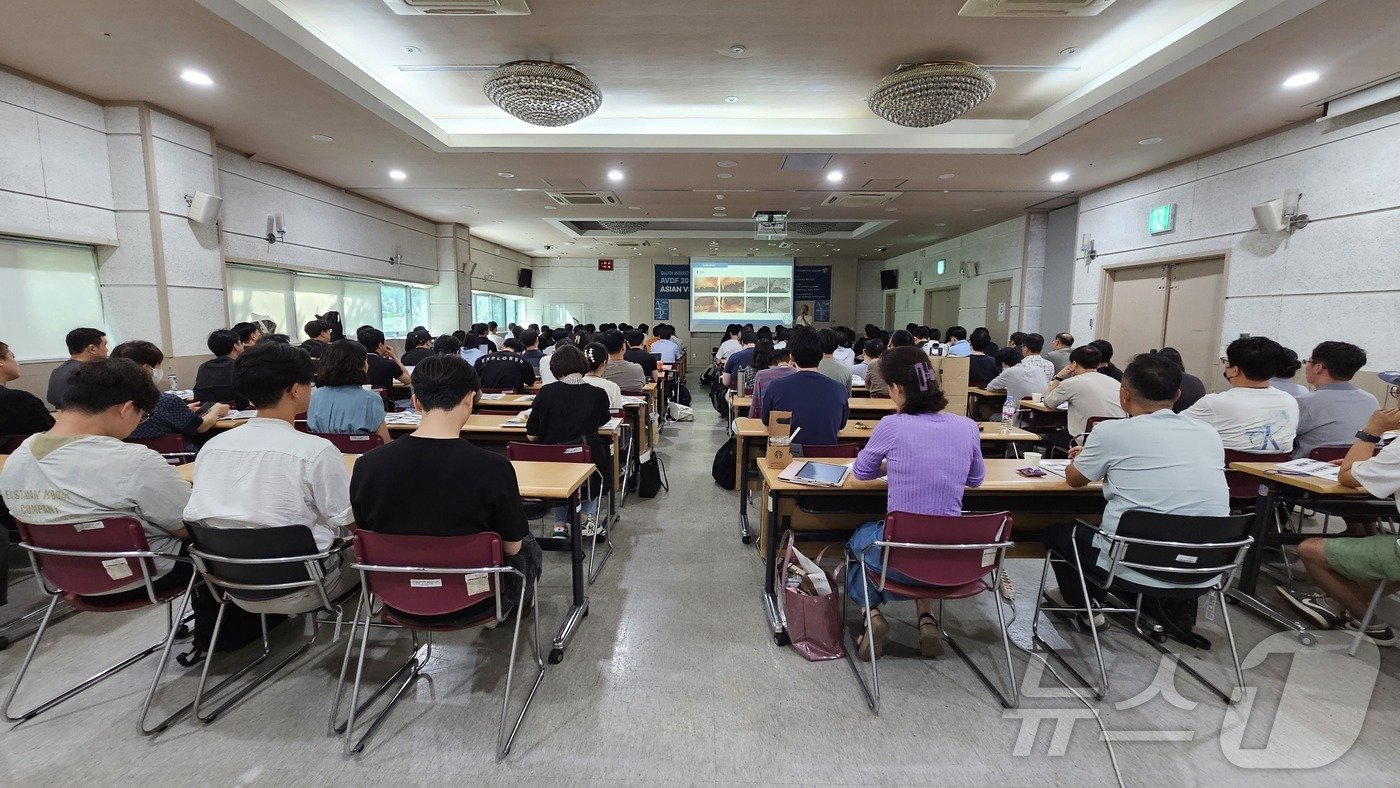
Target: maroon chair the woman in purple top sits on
[[937, 558]]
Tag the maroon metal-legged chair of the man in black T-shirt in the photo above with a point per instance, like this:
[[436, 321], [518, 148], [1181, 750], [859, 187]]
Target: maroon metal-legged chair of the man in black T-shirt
[[419, 584]]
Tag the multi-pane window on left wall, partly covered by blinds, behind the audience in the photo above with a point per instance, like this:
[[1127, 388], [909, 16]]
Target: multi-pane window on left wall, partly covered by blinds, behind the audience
[[292, 300]]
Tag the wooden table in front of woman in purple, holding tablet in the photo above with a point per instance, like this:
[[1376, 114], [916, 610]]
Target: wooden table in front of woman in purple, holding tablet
[[1003, 491]]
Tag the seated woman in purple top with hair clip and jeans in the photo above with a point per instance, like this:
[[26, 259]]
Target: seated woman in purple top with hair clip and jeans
[[930, 457]]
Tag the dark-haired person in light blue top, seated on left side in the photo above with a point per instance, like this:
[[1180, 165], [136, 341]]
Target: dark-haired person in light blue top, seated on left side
[[341, 405]]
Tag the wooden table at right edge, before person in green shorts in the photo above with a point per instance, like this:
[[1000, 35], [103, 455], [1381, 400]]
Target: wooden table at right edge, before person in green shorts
[[1310, 492]]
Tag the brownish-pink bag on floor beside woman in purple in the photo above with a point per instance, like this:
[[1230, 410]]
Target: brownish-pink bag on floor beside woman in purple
[[811, 607]]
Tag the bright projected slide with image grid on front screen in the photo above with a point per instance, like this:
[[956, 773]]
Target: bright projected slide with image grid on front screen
[[740, 292]]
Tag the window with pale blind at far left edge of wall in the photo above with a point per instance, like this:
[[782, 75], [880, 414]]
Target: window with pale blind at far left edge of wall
[[50, 290]]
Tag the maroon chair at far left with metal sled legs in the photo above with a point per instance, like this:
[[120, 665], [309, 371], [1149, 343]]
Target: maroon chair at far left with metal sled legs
[[93, 566]]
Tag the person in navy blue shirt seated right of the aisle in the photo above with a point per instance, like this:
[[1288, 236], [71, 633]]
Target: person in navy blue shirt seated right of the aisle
[[820, 405]]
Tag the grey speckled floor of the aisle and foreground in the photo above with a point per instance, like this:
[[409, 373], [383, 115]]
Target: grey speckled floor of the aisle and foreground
[[675, 680]]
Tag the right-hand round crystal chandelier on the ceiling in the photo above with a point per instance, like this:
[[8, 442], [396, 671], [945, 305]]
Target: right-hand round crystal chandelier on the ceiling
[[930, 94]]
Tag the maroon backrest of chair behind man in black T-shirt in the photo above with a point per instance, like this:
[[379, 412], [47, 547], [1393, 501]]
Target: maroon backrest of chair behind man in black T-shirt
[[428, 593]]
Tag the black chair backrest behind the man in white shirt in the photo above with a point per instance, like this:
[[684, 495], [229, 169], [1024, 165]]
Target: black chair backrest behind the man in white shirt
[[211, 548]]
